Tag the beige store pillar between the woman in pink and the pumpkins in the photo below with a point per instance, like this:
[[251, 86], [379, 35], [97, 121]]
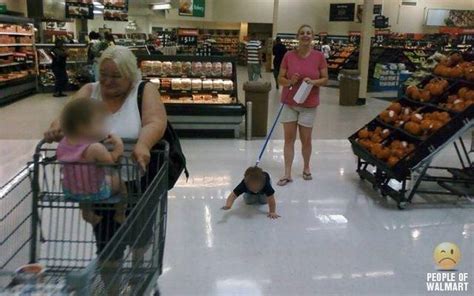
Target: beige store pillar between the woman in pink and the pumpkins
[[364, 54]]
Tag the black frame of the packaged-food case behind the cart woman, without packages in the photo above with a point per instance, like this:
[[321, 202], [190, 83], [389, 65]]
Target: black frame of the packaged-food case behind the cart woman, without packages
[[200, 119]]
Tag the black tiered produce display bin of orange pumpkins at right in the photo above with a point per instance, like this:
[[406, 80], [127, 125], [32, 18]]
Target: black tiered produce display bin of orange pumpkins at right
[[414, 166]]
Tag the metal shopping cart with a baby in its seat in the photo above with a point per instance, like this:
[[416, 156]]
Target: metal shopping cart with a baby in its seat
[[39, 224]]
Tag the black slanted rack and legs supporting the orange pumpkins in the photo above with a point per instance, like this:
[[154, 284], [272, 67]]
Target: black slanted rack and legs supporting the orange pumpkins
[[415, 174]]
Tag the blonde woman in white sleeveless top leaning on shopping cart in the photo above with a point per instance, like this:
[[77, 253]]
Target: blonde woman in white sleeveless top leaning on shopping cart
[[118, 86]]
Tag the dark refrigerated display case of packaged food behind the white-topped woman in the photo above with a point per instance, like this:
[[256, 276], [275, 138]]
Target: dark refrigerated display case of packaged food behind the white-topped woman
[[197, 100]]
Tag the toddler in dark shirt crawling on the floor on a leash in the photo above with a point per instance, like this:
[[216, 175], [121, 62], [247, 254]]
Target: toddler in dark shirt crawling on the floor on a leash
[[257, 188]]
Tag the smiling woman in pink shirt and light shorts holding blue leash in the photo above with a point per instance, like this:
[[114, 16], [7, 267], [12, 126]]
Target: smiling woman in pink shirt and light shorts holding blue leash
[[301, 64]]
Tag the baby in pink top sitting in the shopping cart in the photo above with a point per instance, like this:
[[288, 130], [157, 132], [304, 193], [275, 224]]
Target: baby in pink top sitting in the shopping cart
[[88, 173]]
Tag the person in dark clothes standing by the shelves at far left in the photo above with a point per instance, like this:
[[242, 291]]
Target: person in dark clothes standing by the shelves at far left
[[59, 55]]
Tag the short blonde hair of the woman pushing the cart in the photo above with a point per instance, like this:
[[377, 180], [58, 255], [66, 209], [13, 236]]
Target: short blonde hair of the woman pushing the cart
[[124, 59]]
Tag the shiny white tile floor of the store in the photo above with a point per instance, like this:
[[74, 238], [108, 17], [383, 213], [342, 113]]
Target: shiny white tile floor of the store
[[336, 236]]
